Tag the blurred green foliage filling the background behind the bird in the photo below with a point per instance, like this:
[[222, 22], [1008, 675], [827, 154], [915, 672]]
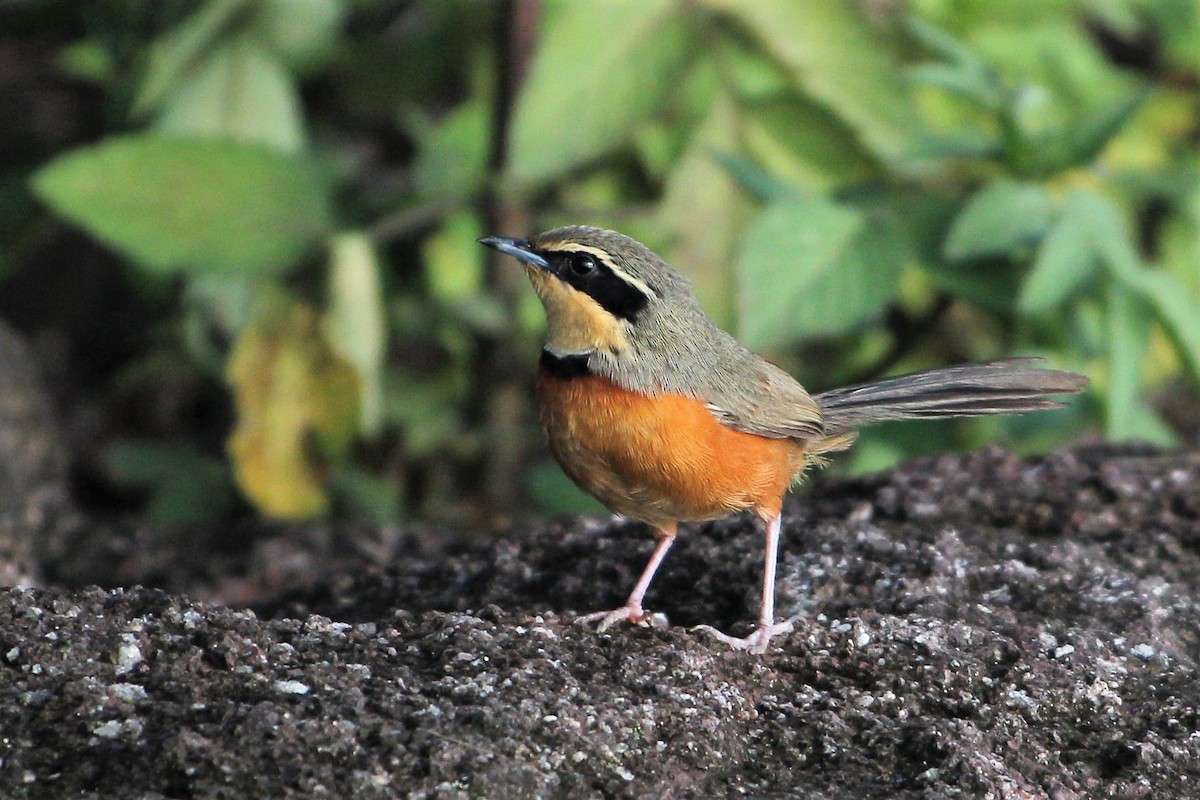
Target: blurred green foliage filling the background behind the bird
[[242, 232]]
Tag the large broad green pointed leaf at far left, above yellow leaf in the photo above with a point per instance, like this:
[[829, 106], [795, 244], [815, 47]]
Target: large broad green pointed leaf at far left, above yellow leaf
[[201, 204]]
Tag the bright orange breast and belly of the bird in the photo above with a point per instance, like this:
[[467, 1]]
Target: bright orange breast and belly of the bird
[[662, 459]]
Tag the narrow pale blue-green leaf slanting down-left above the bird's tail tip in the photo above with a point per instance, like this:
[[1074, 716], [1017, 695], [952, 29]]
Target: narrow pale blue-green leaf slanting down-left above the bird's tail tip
[[1066, 258]]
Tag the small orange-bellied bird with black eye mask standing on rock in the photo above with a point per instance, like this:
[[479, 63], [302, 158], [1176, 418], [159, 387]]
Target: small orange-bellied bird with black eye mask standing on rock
[[665, 418]]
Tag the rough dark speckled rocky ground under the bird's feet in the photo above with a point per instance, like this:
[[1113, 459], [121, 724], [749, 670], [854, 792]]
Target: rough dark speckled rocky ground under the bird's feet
[[979, 627]]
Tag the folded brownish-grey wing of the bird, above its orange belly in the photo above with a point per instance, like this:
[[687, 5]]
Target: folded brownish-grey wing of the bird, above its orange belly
[[770, 404]]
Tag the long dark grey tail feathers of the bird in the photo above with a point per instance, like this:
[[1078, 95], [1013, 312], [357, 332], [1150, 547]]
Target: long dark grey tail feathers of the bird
[[1005, 387]]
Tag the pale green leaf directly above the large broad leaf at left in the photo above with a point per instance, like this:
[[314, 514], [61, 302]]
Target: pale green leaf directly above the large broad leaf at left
[[241, 92]]
